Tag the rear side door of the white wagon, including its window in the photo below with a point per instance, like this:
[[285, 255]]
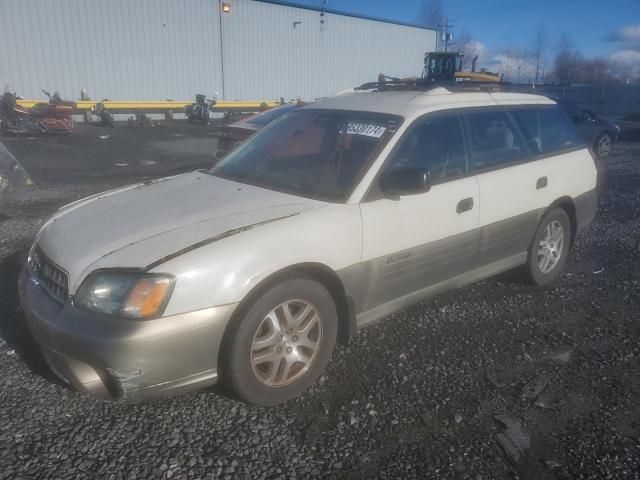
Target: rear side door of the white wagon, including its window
[[513, 185]]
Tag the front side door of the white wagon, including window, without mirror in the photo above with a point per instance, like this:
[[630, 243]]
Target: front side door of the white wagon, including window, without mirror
[[416, 241]]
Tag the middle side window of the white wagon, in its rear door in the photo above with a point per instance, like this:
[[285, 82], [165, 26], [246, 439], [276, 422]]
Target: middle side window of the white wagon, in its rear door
[[494, 140]]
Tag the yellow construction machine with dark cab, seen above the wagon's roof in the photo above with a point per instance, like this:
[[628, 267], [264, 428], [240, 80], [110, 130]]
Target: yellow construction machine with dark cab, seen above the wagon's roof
[[447, 67]]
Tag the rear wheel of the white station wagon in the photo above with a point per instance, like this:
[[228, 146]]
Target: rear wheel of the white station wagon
[[550, 247]]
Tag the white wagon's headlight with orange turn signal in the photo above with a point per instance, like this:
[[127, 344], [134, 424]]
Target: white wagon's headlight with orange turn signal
[[128, 294]]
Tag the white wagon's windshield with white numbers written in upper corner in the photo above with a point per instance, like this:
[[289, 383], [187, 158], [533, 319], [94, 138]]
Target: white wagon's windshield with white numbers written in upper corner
[[312, 153]]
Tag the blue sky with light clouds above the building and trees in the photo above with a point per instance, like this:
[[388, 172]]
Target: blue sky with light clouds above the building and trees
[[607, 28]]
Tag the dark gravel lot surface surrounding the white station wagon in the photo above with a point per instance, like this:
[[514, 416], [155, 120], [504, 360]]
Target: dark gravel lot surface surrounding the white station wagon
[[496, 380]]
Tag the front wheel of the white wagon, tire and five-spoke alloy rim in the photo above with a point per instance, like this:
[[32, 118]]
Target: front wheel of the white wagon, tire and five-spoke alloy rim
[[281, 343]]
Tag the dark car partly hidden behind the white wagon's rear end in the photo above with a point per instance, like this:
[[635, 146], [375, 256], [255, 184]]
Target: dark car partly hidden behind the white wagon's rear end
[[598, 133]]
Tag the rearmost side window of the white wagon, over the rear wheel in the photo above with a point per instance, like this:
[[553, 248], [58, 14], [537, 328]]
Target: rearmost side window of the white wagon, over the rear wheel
[[546, 130]]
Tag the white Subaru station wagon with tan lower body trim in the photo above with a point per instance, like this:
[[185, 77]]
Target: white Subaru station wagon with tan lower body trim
[[329, 219]]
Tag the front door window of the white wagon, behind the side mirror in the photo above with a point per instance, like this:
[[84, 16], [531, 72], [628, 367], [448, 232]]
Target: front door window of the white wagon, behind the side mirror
[[436, 144]]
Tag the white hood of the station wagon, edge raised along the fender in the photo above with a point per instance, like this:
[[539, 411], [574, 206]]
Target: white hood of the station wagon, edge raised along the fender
[[139, 225]]
